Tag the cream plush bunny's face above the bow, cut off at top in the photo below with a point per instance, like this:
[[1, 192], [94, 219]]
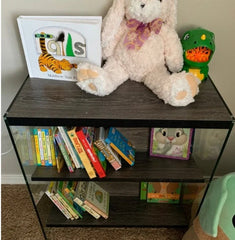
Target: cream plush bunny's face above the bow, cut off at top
[[144, 10]]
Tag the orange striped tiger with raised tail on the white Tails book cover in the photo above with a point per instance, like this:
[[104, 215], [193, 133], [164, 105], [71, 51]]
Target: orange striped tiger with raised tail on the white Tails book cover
[[48, 62]]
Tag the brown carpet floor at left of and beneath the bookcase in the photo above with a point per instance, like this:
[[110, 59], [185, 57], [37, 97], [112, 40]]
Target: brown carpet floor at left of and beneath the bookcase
[[19, 222]]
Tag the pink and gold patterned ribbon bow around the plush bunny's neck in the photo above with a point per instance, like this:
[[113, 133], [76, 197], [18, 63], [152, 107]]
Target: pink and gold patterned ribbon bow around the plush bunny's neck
[[139, 32]]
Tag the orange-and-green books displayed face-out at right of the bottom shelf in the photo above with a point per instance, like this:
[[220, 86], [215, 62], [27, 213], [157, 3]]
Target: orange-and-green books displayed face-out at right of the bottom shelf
[[170, 192]]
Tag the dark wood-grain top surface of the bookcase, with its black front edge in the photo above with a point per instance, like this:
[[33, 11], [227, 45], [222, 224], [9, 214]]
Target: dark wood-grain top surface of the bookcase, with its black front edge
[[43, 102]]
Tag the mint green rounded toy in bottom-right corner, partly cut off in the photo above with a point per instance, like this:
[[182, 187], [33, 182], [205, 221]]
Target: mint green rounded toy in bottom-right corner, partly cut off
[[216, 219]]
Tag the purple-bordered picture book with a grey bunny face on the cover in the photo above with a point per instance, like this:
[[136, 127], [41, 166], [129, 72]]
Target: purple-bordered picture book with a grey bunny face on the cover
[[171, 142]]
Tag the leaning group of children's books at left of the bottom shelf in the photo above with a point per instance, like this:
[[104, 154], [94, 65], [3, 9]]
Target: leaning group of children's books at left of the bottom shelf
[[75, 199]]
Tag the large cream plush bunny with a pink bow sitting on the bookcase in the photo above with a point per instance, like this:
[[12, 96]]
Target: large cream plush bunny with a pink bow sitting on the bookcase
[[140, 43]]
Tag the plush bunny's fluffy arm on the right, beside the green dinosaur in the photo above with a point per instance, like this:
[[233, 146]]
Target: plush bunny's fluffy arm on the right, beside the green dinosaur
[[173, 49]]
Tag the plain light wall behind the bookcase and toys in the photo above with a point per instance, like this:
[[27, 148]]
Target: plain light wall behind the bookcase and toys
[[214, 15]]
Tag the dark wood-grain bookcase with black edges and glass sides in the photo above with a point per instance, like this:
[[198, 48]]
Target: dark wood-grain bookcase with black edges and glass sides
[[134, 109]]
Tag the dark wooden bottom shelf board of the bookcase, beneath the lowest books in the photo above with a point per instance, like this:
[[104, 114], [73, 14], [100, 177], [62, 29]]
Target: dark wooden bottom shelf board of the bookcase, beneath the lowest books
[[124, 212]]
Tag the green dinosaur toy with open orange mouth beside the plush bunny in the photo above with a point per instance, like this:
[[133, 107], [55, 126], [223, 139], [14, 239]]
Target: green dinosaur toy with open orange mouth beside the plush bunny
[[198, 49]]
